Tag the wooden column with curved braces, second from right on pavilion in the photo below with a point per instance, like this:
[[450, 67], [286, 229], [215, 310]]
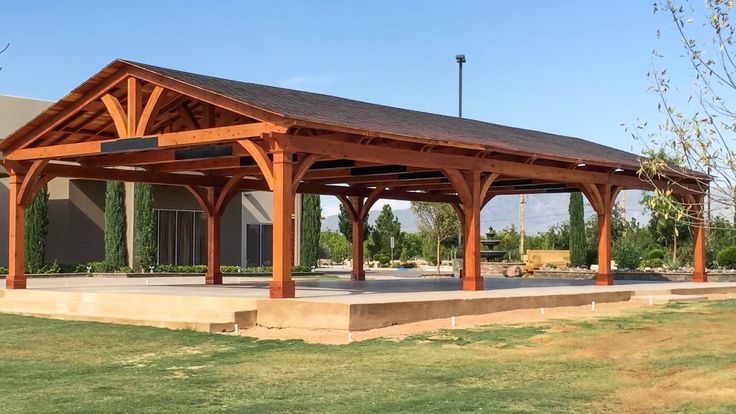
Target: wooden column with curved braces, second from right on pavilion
[[602, 198]]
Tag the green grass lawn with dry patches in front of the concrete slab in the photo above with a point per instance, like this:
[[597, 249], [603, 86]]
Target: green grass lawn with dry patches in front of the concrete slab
[[674, 359]]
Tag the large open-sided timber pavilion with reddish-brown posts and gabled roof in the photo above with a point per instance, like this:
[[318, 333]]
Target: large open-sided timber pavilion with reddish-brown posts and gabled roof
[[216, 137]]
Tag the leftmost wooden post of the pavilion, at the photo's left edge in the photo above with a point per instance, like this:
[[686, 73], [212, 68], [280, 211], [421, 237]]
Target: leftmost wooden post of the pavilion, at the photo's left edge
[[16, 278]]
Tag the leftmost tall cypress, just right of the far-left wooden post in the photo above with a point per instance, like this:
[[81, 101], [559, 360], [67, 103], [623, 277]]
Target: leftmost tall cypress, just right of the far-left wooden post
[[36, 230]]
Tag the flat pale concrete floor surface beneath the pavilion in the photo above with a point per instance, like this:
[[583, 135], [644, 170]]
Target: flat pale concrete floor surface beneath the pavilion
[[379, 288]]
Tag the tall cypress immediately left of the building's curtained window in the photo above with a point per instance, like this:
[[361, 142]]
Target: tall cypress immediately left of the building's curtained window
[[144, 245]]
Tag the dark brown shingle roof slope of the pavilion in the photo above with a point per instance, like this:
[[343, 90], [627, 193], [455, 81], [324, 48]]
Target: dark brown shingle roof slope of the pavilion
[[348, 113]]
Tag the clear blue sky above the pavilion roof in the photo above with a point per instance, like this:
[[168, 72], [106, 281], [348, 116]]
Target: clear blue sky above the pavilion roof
[[571, 67]]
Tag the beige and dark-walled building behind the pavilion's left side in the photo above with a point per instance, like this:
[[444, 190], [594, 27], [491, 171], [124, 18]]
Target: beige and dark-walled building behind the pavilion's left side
[[77, 215]]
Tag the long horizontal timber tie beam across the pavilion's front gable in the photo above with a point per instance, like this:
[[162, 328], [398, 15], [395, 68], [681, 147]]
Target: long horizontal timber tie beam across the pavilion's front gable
[[168, 140]]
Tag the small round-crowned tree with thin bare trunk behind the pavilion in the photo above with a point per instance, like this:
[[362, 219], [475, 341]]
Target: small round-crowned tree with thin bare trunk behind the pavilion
[[438, 221]]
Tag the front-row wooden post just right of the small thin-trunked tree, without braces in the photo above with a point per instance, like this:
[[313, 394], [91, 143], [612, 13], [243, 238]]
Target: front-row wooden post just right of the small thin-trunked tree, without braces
[[472, 279]]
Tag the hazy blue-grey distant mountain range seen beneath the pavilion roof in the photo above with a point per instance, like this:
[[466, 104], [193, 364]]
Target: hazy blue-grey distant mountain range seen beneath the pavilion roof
[[541, 212]]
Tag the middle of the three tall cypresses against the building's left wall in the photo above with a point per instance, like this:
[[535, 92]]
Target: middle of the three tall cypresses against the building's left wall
[[116, 255]]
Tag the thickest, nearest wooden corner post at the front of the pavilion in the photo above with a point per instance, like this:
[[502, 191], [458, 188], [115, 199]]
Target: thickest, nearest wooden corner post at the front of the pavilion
[[282, 286]]
